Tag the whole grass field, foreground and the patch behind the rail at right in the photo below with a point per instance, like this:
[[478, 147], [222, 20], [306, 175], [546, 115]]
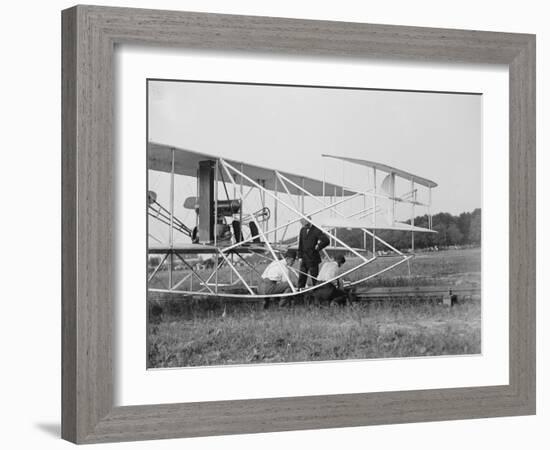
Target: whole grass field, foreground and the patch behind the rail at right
[[186, 332]]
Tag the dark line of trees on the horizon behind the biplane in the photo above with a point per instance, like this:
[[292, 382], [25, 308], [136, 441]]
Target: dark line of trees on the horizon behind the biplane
[[463, 229]]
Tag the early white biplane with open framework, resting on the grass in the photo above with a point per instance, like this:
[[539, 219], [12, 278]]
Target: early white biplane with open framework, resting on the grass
[[245, 216]]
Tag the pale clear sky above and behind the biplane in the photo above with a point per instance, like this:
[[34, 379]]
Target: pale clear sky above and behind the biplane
[[433, 135]]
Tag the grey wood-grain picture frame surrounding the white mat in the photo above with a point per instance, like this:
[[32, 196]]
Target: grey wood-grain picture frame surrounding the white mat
[[89, 36]]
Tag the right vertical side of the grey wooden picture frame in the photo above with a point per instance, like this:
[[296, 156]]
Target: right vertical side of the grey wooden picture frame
[[523, 224]]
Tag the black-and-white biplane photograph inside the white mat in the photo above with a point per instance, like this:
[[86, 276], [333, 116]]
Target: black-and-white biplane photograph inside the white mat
[[291, 223]]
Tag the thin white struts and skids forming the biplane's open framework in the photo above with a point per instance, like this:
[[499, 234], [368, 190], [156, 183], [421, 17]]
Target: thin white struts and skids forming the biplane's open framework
[[272, 250]]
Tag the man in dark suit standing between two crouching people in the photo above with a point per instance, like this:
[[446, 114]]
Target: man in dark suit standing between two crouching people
[[311, 242]]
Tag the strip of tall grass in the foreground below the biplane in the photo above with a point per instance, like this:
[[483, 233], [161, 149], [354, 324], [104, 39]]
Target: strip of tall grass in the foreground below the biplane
[[253, 335]]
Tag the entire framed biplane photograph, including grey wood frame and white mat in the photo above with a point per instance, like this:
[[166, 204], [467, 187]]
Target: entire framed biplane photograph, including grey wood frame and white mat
[[278, 224]]
